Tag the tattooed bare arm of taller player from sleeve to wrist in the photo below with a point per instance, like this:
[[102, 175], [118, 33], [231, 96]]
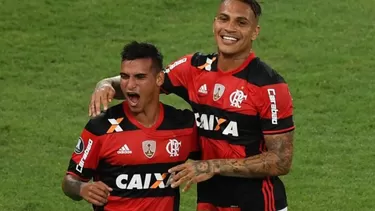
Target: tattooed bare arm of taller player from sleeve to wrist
[[275, 161]]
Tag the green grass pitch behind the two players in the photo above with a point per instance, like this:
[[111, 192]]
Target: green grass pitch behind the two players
[[53, 53]]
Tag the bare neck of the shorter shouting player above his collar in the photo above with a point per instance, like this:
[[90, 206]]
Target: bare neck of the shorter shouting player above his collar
[[149, 115]]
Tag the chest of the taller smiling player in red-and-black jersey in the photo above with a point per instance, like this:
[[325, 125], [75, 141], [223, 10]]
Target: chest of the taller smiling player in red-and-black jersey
[[225, 106]]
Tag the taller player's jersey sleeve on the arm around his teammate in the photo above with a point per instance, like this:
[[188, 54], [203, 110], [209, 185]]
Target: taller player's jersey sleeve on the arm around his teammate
[[178, 77]]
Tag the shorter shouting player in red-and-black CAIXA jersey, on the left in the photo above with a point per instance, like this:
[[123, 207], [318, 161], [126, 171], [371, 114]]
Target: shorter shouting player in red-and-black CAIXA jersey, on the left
[[128, 149]]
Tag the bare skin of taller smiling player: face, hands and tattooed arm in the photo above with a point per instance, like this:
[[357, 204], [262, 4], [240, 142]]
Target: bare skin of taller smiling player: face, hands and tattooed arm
[[235, 19]]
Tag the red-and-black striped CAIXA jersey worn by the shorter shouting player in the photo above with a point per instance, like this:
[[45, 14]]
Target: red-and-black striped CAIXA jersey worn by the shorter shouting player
[[134, 160]]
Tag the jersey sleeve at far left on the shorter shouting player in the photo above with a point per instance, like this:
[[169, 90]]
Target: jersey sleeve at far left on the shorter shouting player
[[85, 157]]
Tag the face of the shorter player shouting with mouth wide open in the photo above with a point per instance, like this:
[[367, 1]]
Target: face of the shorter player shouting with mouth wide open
[[140, 83]]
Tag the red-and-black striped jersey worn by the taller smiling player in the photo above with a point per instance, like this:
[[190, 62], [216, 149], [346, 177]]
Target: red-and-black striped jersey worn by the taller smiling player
[[233, 111]]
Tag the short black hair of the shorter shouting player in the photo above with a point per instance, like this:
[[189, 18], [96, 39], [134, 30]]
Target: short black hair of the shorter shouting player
[[142, 50]]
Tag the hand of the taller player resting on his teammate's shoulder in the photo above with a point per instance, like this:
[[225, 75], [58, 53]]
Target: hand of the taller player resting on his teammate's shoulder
[[102, 95]]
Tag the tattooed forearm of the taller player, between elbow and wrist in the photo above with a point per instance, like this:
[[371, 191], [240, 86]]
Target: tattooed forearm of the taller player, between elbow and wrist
[[262, 165]]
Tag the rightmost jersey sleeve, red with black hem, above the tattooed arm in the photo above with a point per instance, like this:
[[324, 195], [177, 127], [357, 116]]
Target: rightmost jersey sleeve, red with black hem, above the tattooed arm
[[276, 109]]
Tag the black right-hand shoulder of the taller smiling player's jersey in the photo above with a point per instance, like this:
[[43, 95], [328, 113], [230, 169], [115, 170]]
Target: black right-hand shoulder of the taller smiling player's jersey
[[261, 74]]
